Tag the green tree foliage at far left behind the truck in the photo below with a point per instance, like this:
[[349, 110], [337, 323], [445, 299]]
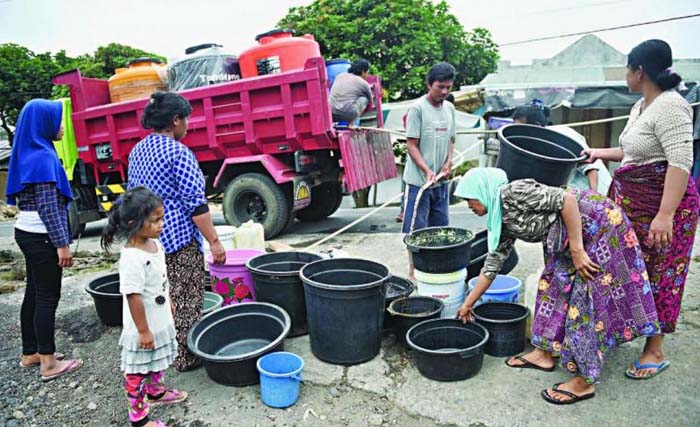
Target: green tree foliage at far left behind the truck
[[25, 75]]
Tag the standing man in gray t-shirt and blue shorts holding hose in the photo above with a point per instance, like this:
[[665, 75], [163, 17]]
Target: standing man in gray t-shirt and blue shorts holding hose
[[430, 137]]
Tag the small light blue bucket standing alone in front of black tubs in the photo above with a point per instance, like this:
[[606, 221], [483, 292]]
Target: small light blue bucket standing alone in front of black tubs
[[280, 378]]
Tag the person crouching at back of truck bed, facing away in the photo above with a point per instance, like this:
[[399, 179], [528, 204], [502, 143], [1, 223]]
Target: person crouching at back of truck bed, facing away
[[351, 94]]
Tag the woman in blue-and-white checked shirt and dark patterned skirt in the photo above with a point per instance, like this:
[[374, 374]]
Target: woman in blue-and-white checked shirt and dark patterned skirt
[[167, 167]]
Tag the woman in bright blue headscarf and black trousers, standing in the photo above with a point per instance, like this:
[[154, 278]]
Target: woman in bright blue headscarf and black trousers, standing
[[38, 185]]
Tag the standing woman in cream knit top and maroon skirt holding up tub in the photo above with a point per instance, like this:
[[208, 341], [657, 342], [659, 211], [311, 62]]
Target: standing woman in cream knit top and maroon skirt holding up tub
[[654, 188]]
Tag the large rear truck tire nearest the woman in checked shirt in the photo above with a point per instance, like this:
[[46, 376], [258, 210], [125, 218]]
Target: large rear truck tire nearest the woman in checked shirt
[[256, 196]]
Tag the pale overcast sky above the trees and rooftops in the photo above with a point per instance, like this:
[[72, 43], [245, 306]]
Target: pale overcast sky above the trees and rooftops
[[167, 27]]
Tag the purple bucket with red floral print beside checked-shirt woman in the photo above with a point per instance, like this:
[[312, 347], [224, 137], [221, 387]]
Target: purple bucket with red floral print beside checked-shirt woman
[[232, 280]]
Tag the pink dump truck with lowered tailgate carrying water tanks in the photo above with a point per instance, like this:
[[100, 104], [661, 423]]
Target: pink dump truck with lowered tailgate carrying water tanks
[[266, 143]]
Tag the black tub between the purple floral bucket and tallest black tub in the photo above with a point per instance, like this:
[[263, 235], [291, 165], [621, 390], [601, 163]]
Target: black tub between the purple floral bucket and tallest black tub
[[276, 280]]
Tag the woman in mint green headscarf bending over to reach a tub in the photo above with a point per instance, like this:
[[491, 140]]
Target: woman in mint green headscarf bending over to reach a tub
[[594, 292]]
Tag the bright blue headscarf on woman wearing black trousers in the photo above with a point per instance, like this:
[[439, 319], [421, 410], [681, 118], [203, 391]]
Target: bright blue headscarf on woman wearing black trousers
[[34, 159]]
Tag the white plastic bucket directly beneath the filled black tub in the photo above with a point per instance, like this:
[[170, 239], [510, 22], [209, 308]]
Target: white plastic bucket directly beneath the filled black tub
[[448, 287]]
